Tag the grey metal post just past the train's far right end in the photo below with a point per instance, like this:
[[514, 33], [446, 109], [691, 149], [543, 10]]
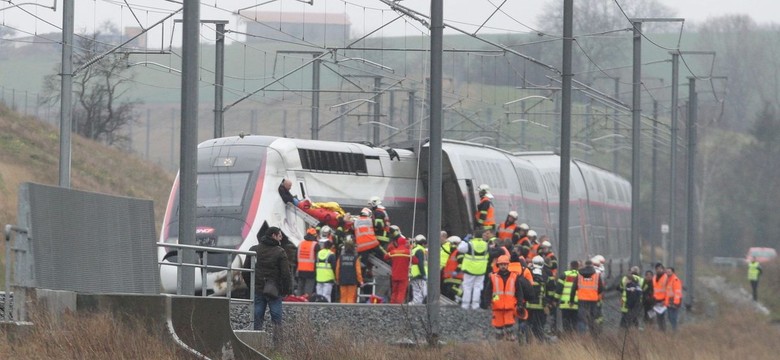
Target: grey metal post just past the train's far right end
[[636, 112]]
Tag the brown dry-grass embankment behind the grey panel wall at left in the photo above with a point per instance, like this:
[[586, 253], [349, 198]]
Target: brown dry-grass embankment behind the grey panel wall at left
[[29, 152]]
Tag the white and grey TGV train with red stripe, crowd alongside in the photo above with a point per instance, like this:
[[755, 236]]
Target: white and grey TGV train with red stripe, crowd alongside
[[239, 177]]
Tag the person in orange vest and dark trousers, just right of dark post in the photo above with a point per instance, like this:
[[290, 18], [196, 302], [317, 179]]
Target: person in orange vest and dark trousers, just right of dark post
[[587, 290]]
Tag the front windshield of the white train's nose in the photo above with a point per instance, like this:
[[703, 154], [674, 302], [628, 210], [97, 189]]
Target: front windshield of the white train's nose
[[222, 189]]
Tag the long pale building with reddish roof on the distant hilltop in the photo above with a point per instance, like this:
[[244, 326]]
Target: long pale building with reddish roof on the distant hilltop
[[318, 28]]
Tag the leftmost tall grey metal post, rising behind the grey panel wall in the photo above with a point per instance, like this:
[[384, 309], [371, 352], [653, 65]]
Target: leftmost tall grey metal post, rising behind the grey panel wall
[[66, 91]]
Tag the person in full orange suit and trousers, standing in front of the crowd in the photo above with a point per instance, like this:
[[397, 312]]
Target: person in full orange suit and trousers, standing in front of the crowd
[[508, 297]]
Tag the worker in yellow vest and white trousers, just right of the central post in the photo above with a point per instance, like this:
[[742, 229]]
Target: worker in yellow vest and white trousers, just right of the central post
[[474, 264]]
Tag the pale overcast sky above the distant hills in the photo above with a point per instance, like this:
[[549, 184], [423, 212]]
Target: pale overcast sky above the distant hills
[[365, 15]]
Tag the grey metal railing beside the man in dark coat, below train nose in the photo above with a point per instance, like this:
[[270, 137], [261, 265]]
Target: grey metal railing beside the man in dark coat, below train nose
[[204, 266]]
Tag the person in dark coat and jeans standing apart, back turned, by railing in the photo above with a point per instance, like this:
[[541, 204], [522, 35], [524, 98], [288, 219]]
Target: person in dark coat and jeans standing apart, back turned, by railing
[[272, 265]]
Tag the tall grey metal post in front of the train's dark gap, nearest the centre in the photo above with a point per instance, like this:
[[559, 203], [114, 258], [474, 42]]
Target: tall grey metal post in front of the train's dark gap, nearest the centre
[[434, 169]]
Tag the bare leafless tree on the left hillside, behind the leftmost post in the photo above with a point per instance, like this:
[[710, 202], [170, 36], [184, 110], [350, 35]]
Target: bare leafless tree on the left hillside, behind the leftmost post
[[101, 109]]
